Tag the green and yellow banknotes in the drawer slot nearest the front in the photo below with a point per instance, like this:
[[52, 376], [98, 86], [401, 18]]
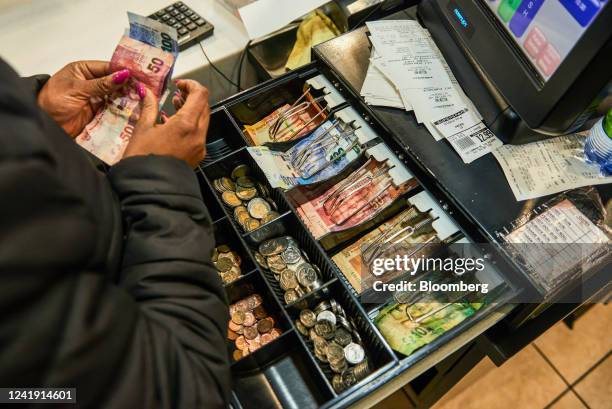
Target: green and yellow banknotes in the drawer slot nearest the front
[[406, 336]]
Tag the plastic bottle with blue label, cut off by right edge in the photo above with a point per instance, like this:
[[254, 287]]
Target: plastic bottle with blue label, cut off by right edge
[[598, 145]]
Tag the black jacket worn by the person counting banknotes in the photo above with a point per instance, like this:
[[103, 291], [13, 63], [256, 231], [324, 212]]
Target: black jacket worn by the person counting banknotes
[[155, 338]]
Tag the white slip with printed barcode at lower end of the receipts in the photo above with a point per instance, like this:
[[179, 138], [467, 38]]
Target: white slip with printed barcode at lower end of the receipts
[[474, 142]]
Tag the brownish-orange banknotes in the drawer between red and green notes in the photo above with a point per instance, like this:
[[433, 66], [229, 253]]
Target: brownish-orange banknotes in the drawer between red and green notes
[[354, 261]]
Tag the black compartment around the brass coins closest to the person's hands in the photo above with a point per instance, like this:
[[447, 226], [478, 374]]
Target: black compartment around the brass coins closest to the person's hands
[[224, 168]]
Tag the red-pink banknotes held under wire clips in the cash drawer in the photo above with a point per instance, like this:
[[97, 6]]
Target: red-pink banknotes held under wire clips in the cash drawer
[[329, 208]]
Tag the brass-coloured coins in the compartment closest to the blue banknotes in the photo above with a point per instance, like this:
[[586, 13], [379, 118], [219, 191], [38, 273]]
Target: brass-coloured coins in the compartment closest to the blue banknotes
[[250, 200]]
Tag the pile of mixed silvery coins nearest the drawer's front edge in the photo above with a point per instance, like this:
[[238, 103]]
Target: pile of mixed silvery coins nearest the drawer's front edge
[[335, 343]]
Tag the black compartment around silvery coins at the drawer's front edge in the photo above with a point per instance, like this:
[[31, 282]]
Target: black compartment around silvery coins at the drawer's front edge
[[379, 355]]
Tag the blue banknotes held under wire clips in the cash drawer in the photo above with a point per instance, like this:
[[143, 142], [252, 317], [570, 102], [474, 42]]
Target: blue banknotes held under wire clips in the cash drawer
[[323, 154]]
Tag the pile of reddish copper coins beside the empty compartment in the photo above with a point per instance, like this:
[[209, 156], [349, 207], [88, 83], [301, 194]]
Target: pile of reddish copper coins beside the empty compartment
[[250, 327]]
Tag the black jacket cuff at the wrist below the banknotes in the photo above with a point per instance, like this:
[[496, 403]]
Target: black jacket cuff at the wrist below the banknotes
[[154, 174]]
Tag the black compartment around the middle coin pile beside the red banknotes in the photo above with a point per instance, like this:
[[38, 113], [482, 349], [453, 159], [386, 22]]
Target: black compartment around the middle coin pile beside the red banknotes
[[308, 244]]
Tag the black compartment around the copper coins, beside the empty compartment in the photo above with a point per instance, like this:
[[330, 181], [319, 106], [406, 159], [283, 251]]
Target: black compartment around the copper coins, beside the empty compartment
[[255, 284]]
